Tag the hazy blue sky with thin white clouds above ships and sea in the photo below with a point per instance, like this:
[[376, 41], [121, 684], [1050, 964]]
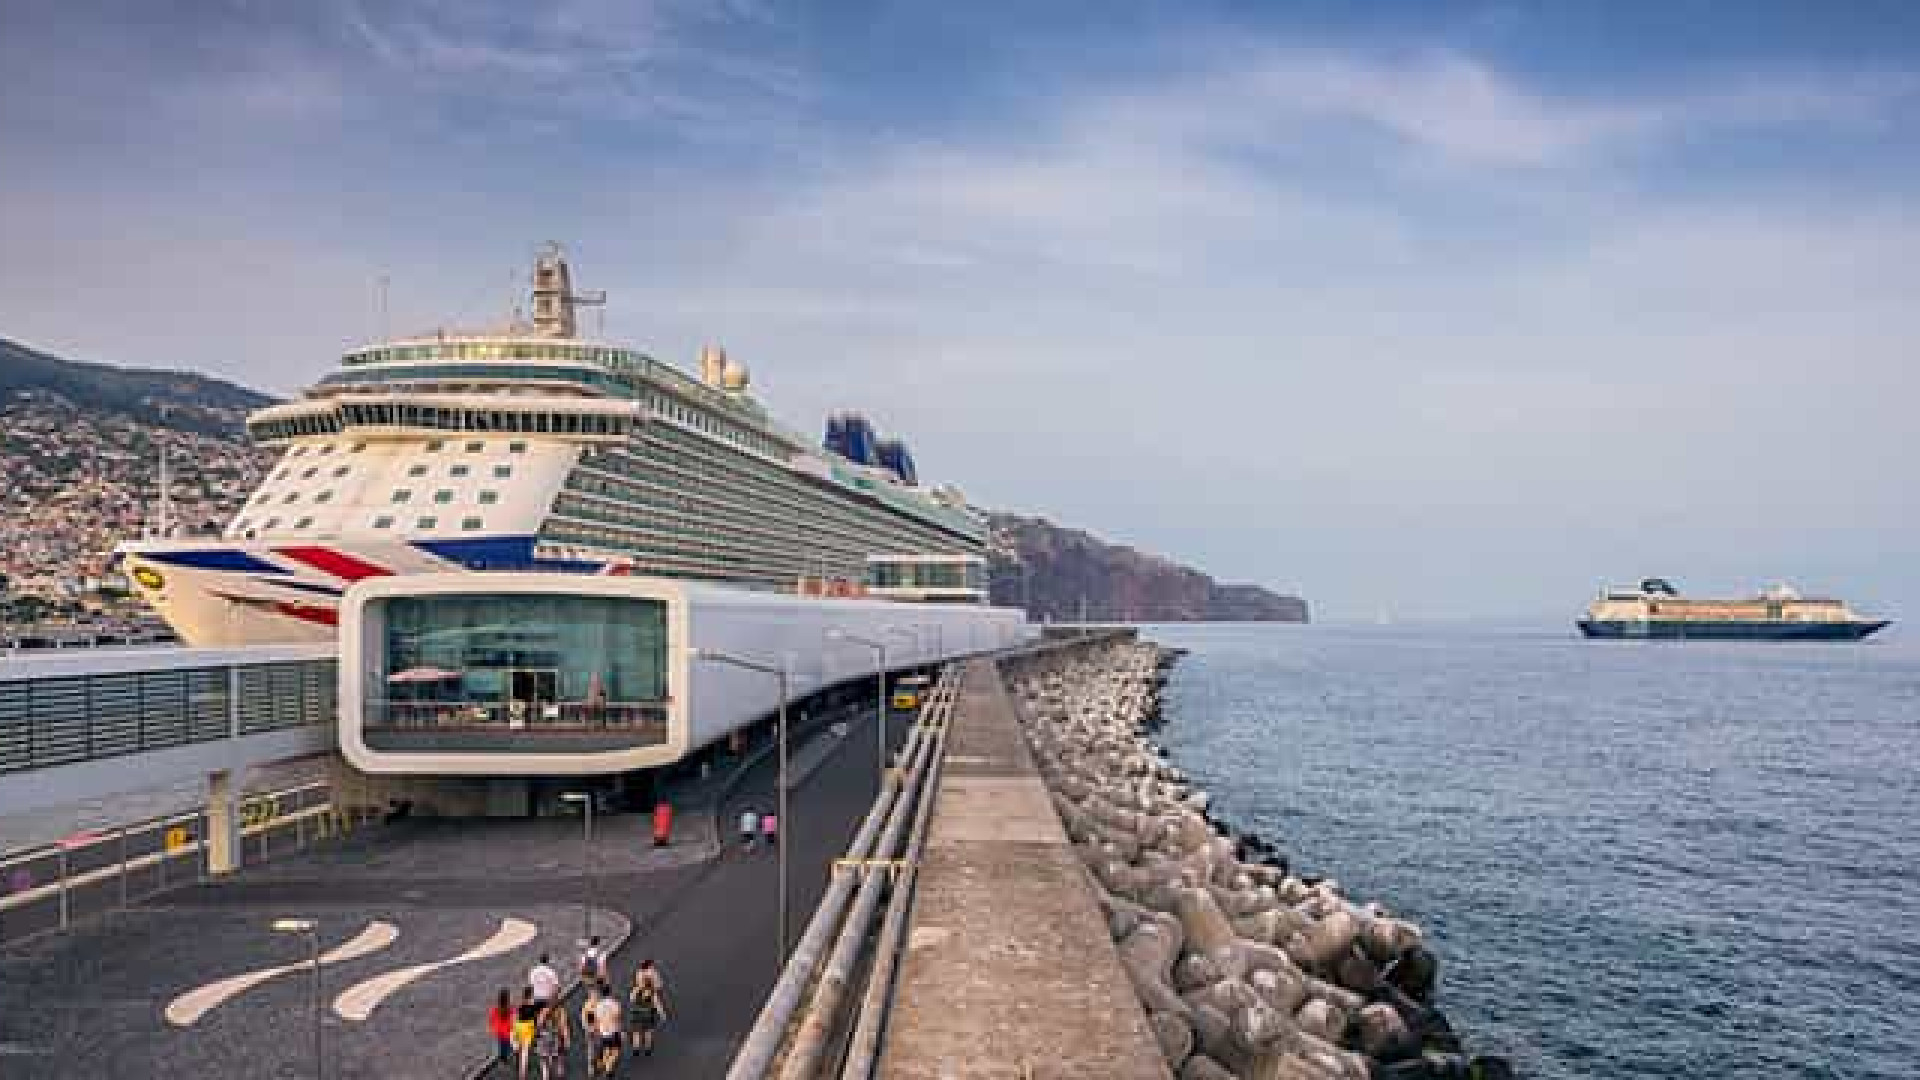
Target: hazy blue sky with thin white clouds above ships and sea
[[1433, 310]]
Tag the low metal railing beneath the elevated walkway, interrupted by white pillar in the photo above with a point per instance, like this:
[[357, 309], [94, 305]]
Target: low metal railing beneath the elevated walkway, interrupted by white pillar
[[93, 873]]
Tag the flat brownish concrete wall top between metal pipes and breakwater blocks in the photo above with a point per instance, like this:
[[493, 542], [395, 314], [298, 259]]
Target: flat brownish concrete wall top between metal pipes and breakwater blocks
[[1009, 966]]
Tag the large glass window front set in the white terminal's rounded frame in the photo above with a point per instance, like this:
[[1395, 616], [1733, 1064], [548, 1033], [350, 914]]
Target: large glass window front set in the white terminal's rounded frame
[[531, 658]]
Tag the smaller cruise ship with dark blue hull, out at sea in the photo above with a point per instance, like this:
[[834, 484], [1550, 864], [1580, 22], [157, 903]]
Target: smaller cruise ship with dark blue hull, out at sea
[[1656, 610]]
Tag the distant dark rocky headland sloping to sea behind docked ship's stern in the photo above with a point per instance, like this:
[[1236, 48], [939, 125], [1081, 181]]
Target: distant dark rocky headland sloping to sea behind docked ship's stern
[[1067, 574]]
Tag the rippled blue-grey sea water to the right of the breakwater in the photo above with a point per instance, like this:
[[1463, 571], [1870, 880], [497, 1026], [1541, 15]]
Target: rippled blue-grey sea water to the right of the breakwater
[[1637, 860]]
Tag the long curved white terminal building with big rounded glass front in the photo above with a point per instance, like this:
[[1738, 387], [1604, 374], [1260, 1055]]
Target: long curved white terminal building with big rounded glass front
[[571, 675]]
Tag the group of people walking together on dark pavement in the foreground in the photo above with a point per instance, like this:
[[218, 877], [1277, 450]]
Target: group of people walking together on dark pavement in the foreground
[[537, 1033]]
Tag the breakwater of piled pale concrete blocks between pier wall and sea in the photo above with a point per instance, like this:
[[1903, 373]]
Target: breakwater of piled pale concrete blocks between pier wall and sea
[[1245, 970]]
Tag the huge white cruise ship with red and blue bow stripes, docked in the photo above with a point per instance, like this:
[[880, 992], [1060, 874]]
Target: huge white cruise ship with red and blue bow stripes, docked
[[540, 451]]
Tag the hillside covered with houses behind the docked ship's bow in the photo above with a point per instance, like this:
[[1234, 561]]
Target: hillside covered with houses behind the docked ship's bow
[[78, 481]]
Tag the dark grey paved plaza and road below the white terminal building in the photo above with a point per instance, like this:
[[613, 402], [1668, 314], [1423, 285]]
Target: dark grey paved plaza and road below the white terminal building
[[91, 1002]]
